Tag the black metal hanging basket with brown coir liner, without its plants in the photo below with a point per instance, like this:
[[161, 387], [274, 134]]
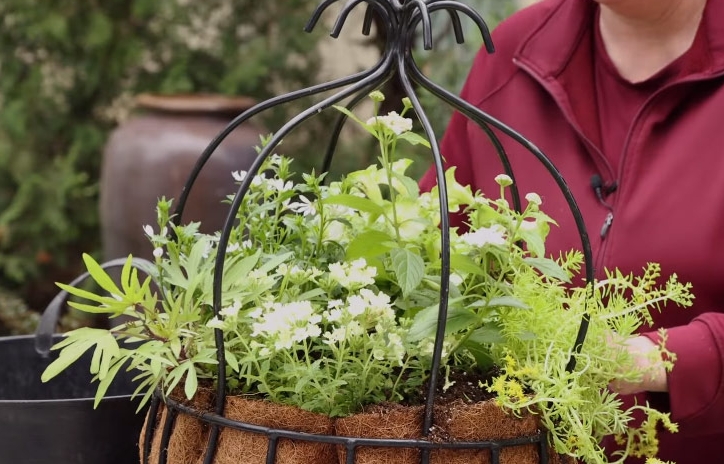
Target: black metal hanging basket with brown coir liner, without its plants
[[458, 433]]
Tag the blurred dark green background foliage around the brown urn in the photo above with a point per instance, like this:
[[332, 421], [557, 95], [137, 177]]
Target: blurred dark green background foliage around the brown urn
[[69, 71]]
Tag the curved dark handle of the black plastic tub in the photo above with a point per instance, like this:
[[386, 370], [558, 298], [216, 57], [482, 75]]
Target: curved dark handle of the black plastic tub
[[49, 320]]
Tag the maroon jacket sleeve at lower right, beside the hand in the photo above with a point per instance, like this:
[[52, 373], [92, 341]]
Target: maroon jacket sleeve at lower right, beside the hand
[[696, 383]]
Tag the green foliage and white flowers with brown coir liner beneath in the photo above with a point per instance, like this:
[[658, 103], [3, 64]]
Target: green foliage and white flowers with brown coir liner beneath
[[330, 296]]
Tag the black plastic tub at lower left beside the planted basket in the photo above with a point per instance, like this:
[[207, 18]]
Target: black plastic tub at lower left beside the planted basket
[[54, 422]]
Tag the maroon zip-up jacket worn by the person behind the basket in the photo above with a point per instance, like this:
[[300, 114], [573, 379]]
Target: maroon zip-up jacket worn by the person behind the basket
[[668, 206]]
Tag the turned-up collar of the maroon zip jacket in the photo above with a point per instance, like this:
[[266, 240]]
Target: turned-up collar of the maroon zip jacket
[[549, 48]]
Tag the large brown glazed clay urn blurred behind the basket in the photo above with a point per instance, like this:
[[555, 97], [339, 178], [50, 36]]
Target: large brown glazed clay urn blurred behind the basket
[[152, 154]]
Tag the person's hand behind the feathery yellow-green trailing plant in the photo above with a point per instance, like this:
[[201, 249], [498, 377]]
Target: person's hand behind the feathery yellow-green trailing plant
[[646, 355]]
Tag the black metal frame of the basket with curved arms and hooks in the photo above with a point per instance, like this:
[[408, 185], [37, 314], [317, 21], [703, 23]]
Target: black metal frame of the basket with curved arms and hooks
[[401, 19]]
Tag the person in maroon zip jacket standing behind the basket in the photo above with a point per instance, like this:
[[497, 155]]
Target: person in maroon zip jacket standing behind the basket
[[627, 99]]
